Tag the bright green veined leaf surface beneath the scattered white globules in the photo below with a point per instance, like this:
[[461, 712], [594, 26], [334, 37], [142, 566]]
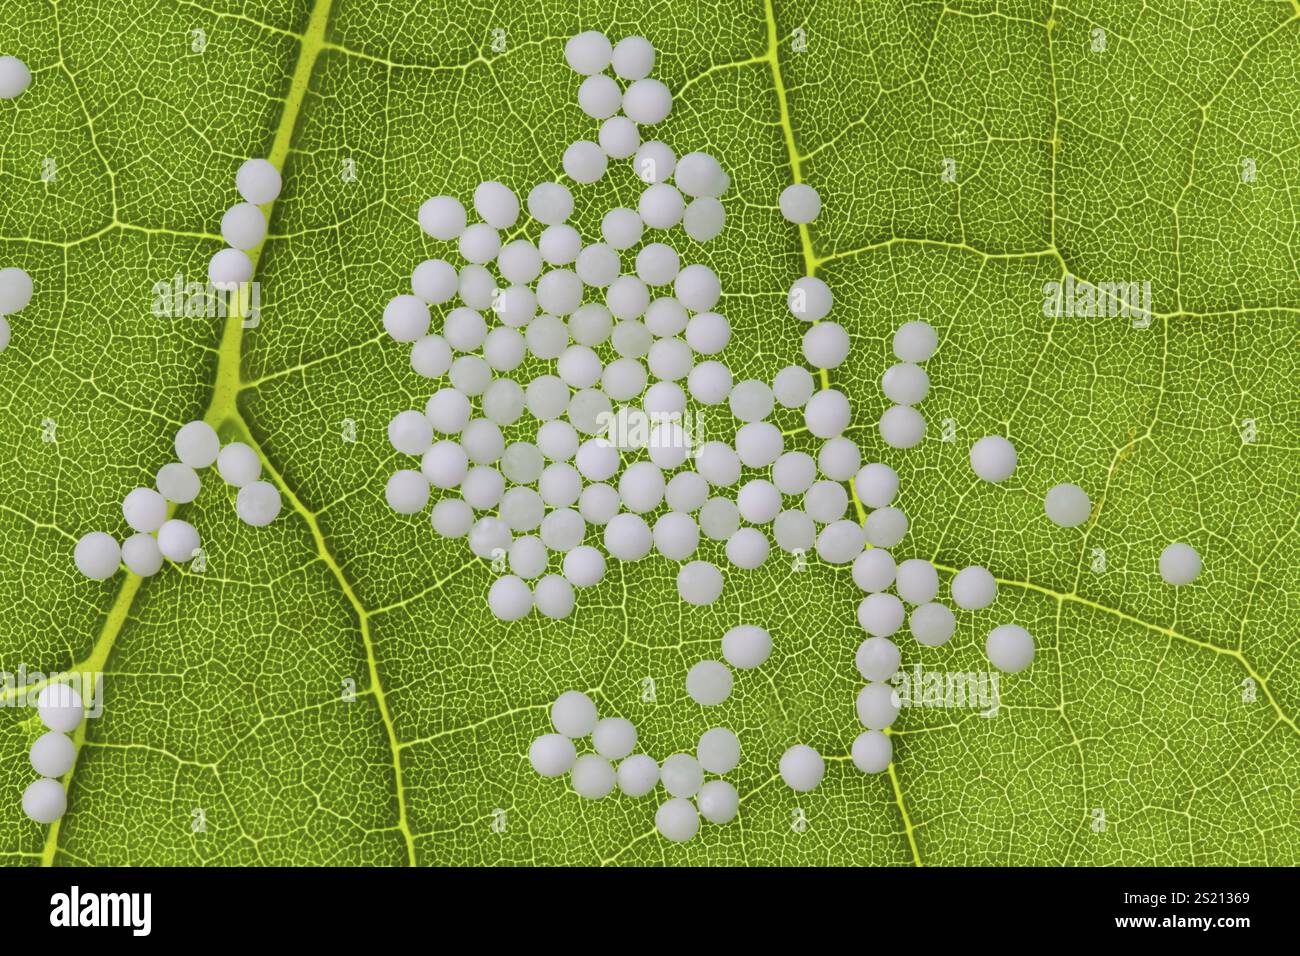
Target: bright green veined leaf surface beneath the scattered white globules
[[227, 690]]
